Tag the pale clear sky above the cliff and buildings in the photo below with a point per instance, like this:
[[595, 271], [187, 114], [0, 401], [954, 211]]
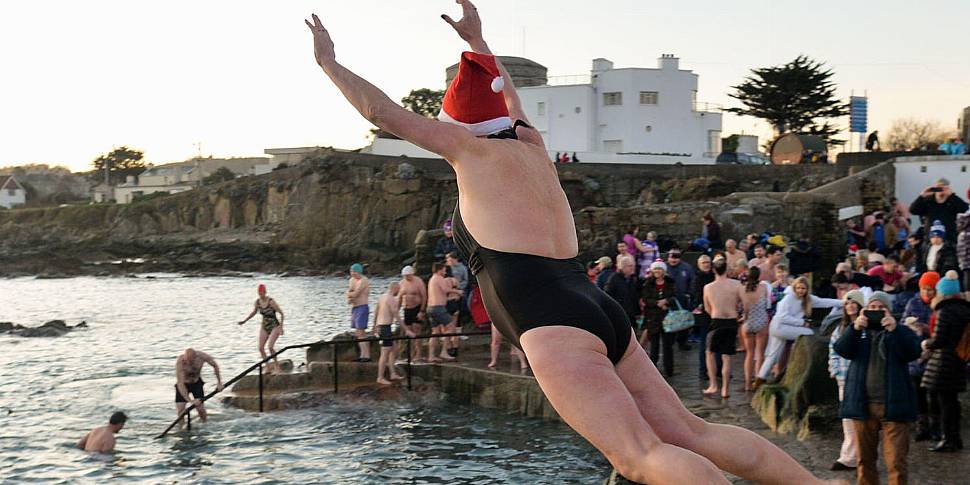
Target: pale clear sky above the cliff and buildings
[[232, 78]]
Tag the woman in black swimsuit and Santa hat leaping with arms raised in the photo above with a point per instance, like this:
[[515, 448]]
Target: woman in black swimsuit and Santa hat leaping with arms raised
[[514, 224]]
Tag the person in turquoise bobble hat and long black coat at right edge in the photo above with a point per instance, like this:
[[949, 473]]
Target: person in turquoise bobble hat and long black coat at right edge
[[945, 375]]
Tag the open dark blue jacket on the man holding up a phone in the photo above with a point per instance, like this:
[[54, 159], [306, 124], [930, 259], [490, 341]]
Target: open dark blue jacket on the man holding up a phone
[[901, 347]]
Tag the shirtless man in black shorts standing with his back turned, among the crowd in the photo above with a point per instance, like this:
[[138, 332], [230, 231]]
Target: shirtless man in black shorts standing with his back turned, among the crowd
[[721, 299]]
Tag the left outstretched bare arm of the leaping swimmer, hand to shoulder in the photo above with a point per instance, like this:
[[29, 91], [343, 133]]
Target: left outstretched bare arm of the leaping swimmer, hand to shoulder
[[450, 141]]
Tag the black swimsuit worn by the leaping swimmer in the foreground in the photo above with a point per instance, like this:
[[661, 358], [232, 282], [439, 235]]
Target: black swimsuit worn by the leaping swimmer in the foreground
[[525, 291]]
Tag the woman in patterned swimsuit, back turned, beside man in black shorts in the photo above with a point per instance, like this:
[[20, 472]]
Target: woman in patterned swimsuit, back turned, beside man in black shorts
[[754, 333]]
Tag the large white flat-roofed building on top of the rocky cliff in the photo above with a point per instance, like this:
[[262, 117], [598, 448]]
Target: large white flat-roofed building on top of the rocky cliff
[[636, 111]]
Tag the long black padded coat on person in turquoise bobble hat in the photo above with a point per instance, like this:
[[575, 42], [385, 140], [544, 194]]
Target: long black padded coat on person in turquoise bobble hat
[[944, 369]]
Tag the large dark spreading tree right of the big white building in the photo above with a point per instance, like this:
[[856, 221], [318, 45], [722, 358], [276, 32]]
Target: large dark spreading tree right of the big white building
[[795, 97]]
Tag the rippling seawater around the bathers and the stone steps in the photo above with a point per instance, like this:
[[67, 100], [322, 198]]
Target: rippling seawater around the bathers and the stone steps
[[53, 390]]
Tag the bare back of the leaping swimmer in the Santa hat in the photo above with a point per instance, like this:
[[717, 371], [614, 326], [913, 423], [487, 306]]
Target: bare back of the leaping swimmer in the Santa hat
[[511, 200]]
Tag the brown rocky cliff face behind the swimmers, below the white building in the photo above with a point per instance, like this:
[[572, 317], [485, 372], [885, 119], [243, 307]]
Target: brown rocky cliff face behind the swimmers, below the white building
[[341, 207]]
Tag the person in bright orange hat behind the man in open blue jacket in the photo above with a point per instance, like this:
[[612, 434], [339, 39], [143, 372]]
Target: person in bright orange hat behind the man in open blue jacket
[[919, 317]]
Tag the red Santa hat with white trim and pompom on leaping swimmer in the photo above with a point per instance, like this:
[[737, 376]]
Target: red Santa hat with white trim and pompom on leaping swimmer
[[474, 99]]
